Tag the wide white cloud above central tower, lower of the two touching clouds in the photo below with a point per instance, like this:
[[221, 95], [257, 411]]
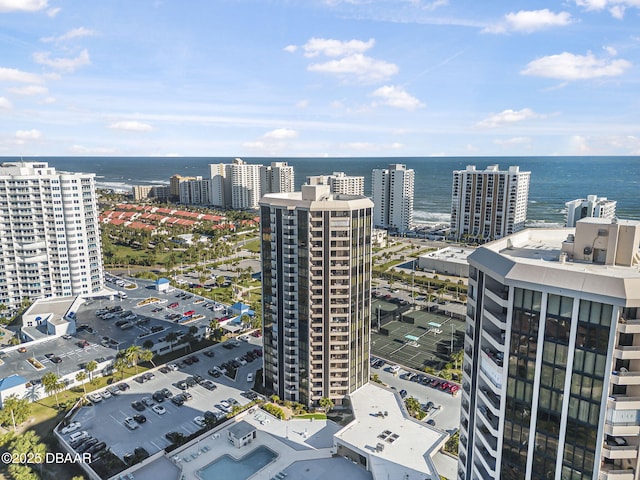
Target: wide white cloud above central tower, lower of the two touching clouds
[[363, 69]]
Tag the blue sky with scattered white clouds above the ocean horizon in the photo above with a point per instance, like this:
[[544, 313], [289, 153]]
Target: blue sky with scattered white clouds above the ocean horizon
[[319, 77]]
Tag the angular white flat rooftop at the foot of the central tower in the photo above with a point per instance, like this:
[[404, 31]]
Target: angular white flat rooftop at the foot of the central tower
[[408, 443]]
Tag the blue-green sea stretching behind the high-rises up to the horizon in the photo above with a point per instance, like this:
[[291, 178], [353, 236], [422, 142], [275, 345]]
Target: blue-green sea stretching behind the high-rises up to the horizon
[[554, 180]]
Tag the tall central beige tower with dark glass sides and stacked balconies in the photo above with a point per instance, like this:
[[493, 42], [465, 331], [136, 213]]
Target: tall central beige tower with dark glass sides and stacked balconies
[[316, 293]]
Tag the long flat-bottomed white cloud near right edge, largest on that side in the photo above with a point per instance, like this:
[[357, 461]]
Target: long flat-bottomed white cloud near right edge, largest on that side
[[567, 66]]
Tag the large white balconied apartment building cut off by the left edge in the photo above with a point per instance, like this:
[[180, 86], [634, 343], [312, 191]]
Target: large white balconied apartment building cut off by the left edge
[[49, 233]]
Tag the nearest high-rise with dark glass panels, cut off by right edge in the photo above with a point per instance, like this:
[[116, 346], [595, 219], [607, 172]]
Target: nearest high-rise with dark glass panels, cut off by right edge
[[551, 375]]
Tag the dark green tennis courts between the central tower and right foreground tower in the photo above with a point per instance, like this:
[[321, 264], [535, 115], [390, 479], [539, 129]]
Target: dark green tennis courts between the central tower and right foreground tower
[[419, 339]]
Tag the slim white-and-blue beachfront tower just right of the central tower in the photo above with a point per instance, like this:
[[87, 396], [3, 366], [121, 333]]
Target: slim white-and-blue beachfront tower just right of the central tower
[[392, 194]]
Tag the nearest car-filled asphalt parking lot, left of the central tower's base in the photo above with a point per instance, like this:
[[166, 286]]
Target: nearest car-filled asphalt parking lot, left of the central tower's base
[[105, 420]]
